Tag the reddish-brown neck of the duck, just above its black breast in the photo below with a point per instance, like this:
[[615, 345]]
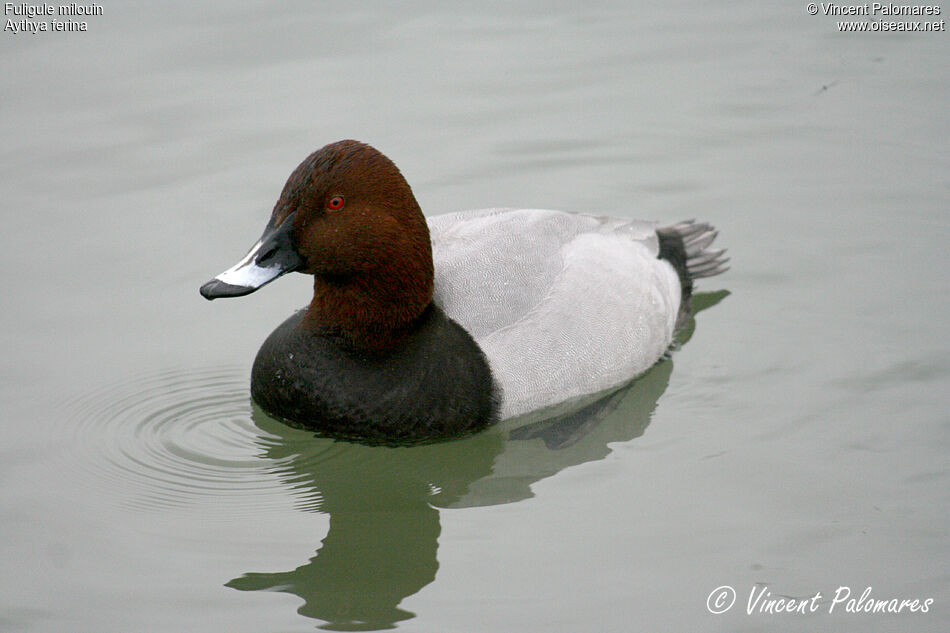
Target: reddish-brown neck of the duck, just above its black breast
[[372, 310]]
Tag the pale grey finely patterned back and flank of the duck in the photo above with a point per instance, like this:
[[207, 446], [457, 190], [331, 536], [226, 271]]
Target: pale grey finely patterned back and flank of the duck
[[563, 305]]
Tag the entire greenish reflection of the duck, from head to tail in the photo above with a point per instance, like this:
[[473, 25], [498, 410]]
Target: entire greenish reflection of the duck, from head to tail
[[384, 524]]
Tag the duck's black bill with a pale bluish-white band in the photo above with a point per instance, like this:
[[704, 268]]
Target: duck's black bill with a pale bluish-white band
[[273, 255]]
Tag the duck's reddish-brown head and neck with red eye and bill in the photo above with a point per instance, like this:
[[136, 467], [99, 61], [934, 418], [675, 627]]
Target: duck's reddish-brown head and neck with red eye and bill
[[348, 217]]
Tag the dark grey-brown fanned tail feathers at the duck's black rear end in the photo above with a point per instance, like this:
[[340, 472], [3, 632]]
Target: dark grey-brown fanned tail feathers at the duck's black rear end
[[686, 246]]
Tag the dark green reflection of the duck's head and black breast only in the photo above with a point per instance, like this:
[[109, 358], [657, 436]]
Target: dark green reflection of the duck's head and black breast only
[[383, 537]]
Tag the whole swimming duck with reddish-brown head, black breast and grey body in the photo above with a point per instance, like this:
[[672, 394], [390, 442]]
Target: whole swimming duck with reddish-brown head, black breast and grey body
[[423, 329]]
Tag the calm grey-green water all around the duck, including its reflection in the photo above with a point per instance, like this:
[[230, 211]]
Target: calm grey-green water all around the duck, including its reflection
[[796, 443]]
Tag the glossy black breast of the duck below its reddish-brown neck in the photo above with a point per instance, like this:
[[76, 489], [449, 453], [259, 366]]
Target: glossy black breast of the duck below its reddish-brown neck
[[435, 384]]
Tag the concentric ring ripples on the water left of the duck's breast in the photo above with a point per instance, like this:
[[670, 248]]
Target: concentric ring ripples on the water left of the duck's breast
[[177, 438]]
